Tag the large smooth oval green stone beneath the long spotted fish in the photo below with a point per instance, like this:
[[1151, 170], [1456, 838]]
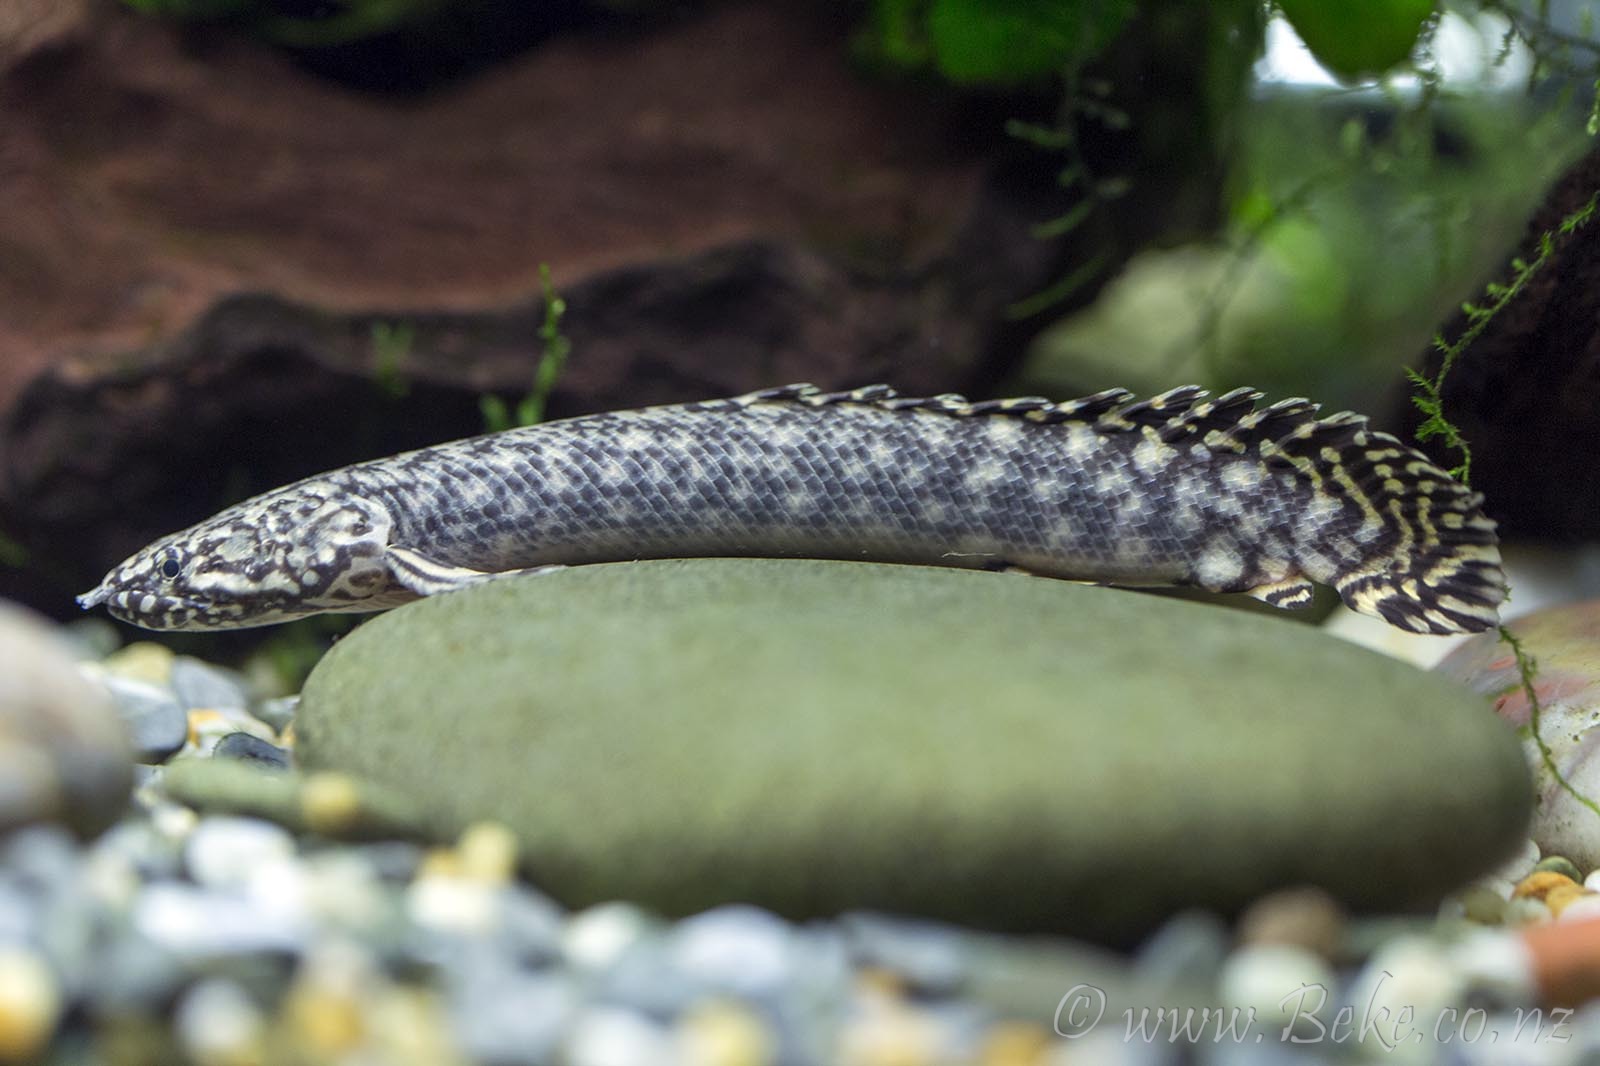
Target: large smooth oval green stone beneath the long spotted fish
[[1006, 751]]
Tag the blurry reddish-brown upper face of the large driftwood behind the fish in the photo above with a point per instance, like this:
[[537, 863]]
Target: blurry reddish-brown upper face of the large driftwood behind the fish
[[150, 172]]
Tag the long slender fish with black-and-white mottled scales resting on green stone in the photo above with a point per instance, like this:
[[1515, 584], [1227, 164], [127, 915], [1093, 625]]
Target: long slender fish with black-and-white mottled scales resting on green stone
[[1178, 489]]
